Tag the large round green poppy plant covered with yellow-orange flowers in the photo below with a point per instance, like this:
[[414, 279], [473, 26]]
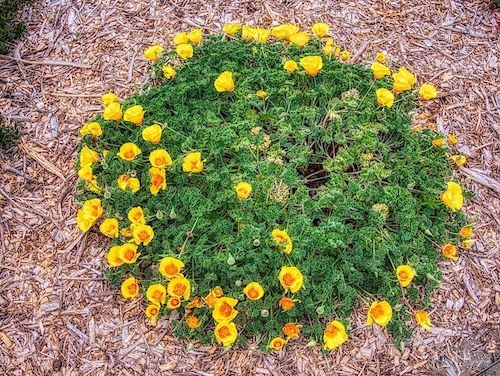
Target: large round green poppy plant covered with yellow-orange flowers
[[258, 198]]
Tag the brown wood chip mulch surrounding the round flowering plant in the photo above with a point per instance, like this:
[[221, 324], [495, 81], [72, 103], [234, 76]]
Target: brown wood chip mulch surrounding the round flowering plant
[[59, 316]]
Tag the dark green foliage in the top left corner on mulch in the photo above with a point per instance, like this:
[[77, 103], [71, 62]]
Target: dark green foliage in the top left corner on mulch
[[9, 30]]
